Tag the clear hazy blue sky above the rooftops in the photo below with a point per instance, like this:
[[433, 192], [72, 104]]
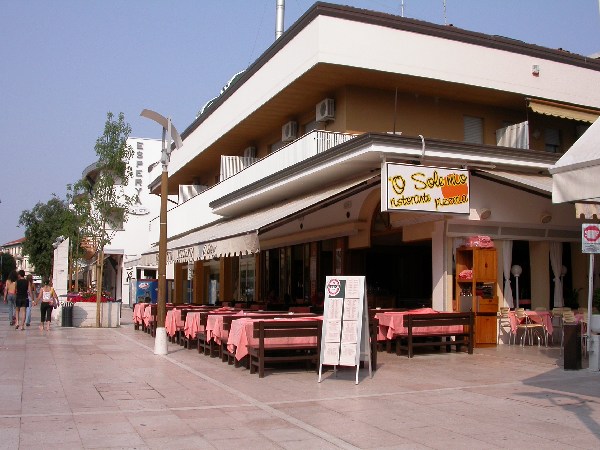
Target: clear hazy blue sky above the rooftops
[[65, 63]]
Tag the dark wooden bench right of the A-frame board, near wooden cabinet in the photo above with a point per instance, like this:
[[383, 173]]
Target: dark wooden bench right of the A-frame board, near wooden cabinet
[[411, 321]]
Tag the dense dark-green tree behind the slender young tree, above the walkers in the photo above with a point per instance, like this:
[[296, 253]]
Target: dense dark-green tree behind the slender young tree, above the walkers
[[43, 224]]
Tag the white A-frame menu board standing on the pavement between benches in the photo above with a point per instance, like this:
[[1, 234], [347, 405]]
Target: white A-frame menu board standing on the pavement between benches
[[345, 335]]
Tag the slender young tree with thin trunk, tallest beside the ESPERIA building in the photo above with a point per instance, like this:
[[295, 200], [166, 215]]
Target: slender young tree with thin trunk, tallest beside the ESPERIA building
[[99, 201]]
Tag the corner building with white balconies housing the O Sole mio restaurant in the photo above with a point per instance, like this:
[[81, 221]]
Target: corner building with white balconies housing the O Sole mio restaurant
[[293, 161]]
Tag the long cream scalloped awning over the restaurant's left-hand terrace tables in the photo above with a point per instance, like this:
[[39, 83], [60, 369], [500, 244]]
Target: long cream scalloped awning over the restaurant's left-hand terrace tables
[[239, 236]]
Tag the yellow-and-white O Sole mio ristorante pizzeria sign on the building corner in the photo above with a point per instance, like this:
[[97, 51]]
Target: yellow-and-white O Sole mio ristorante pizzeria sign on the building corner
[[406, 187]]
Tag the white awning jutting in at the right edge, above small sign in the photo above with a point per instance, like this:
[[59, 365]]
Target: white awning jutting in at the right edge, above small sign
[[575, 175]]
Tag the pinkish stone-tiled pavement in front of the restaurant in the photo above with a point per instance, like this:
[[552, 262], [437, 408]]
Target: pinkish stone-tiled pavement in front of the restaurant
[[104, 388]]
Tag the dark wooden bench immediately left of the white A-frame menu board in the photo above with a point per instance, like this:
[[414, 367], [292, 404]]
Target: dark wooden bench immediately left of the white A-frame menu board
[[263, 352]]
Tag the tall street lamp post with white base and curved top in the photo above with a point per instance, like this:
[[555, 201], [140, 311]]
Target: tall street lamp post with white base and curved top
[[169, 131]]
